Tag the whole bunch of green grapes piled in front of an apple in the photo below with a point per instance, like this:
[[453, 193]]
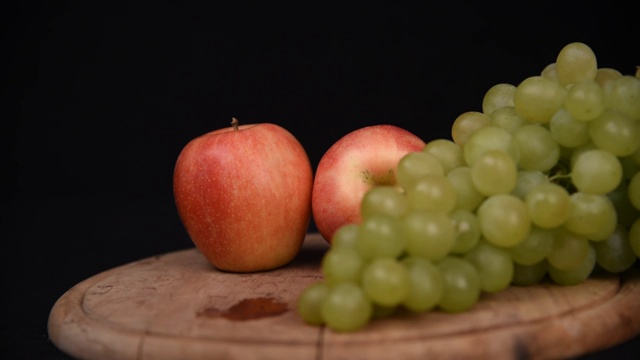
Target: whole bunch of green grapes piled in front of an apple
[[543, 183]]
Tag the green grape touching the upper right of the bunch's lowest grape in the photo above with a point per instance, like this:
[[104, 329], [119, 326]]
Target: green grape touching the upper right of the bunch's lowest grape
[[385, 281]]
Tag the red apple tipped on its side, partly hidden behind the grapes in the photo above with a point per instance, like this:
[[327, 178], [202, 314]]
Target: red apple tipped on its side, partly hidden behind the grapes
[[358, 161]]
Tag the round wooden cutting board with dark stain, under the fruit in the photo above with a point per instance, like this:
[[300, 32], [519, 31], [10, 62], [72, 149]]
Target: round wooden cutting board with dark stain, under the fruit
[[177, 306]]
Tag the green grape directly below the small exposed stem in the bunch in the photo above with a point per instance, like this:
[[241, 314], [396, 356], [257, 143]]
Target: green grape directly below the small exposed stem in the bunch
[[549, 205]]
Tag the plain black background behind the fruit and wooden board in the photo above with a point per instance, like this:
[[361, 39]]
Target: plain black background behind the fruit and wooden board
[[98, 99]]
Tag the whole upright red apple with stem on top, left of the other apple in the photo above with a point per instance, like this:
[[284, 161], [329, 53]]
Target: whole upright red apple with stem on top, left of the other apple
[[243, 194]]
